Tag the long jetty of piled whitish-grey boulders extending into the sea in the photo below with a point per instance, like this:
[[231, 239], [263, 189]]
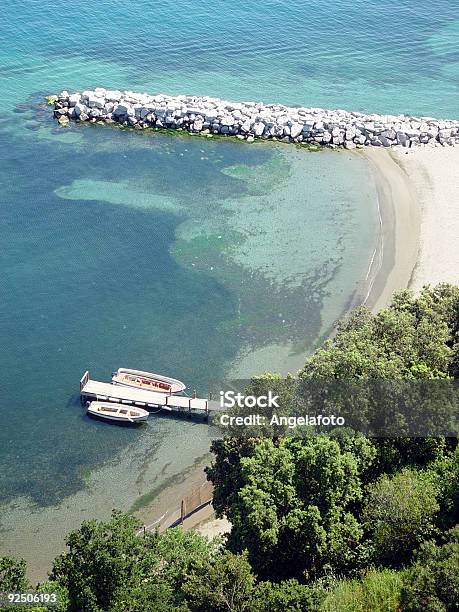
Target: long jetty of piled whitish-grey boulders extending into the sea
[[250, 120]]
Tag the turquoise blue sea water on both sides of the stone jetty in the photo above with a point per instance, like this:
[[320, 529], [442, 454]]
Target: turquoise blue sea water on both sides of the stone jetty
[[190, 256]]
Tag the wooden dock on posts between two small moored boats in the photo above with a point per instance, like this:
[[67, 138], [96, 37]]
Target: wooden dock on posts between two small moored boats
[[106, 392]]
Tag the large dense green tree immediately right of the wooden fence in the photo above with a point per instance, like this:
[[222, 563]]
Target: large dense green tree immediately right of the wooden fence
[[292, 509]]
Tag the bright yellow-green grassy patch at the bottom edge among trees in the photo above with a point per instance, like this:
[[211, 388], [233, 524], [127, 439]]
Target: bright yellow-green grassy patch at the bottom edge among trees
[[376, 591]]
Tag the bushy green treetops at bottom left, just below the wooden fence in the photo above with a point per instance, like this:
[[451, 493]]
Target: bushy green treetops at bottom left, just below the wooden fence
[[109, 567]]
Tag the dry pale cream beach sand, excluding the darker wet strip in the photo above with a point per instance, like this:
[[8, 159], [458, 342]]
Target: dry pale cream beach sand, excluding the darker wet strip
[[434, 176]]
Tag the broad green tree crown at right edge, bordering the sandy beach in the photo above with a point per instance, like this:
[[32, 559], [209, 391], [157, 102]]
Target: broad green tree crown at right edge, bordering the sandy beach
[[390, 371]]
